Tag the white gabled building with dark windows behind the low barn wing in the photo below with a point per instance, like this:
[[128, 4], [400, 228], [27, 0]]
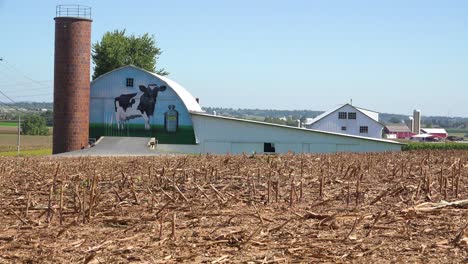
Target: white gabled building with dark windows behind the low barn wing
[[350, 120]]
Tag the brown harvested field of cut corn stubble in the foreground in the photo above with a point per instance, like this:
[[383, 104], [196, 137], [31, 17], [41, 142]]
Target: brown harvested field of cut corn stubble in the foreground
[[389, 207]]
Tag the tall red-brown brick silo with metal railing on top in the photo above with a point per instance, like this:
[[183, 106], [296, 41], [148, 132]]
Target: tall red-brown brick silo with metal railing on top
[[71, 78]]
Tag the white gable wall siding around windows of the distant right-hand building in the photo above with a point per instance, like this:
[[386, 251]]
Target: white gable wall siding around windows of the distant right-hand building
[[331, 123]]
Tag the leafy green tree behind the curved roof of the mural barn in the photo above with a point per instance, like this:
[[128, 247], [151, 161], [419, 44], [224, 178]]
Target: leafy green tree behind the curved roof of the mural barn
[[117, 49]]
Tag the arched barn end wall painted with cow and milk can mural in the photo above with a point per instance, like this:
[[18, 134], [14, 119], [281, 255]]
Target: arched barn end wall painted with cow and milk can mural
[[132, 102]]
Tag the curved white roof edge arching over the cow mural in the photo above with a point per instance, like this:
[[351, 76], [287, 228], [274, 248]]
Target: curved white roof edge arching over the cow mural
[[187, 98]]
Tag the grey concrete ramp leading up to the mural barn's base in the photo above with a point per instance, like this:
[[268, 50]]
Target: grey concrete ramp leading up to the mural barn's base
[[117, 146]]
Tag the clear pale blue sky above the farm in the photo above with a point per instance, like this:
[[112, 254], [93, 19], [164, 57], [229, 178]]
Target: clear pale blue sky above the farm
[[388, 56]]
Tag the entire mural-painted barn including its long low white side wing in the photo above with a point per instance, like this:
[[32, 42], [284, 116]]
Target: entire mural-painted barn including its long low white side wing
[[132, 102]]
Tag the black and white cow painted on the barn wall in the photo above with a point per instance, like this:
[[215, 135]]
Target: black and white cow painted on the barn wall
[[134, 105]]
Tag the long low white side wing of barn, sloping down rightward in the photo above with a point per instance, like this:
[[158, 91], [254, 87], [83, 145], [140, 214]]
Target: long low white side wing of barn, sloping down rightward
[[220, 135]]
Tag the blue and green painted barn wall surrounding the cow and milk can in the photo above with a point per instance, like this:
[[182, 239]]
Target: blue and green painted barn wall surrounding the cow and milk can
[[103, 120]]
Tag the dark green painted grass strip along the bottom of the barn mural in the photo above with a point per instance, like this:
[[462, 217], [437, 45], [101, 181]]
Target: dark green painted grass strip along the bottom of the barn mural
[[184, 134]]
